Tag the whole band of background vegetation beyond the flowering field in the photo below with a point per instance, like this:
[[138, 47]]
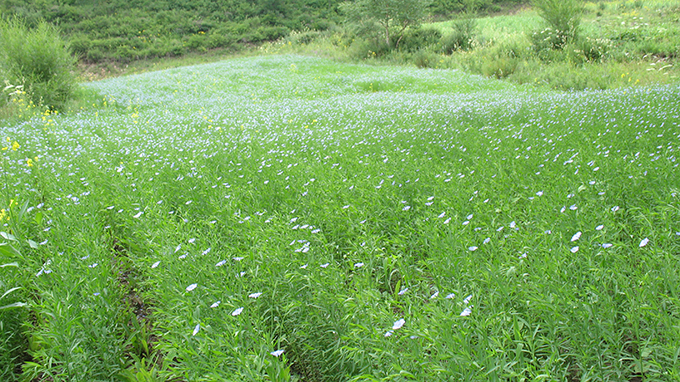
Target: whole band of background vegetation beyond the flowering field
[[606, 44]]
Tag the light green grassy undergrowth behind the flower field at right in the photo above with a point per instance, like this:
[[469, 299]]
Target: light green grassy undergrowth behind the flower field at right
[[637, 47]]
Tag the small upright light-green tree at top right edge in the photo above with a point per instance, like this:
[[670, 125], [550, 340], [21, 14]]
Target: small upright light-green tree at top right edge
[[564, 16]]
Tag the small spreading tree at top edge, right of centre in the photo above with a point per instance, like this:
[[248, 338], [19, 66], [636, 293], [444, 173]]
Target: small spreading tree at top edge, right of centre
[[393, 16]]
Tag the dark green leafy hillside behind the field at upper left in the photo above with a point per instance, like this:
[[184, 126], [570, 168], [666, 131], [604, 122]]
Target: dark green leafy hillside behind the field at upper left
[[124, 31]]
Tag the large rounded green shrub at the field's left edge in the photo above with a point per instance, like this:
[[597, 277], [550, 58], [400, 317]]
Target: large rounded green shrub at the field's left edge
[[39, 60]]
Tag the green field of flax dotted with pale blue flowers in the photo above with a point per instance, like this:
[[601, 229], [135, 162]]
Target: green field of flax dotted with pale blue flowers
[[196, 220]]
